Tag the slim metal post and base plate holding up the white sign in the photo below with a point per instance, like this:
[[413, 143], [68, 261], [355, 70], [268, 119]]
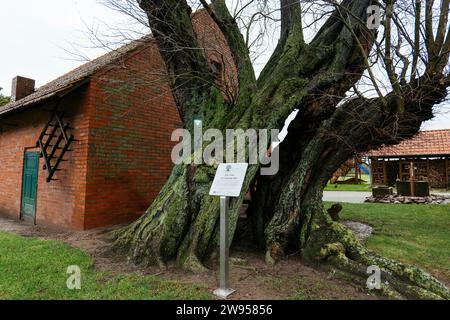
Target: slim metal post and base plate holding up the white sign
[[224, 289]]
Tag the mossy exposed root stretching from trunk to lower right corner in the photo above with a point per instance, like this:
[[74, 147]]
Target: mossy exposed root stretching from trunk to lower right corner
[[336, 245]]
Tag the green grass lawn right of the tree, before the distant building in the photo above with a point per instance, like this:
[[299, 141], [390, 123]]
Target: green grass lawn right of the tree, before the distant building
[[414, 234]]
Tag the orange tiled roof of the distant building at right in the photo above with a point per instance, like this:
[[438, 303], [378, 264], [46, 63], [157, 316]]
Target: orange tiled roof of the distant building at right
[[425, 143]]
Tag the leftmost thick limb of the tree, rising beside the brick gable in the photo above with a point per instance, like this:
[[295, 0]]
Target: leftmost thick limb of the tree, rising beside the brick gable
[[170, 21]]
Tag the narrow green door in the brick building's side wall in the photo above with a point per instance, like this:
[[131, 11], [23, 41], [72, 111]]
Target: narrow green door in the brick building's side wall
[[29, 185]]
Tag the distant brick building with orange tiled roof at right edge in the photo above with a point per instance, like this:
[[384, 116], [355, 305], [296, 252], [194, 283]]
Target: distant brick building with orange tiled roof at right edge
[[428, 154]]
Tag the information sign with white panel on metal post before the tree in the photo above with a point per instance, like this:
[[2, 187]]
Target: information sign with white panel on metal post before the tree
[[227, 183]]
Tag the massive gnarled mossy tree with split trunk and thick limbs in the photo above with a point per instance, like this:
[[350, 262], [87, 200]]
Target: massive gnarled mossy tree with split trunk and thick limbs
[[286, 212]]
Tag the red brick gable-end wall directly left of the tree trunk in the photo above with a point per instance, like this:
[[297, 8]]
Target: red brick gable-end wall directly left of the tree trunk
[[131, 124]]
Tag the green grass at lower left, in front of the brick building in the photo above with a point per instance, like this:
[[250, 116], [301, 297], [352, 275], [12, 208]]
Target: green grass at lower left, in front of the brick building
[[36, 269]]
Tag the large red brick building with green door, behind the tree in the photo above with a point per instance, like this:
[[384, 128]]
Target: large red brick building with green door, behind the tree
[[92, 148]]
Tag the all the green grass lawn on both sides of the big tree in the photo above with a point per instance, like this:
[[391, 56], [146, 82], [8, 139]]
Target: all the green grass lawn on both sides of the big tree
[[31, 268]]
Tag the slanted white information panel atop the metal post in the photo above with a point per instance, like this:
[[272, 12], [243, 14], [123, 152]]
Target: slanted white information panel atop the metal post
[[229, 179]]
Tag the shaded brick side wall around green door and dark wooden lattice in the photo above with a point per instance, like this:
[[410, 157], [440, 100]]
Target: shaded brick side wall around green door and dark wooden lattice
[[59, 203]]
